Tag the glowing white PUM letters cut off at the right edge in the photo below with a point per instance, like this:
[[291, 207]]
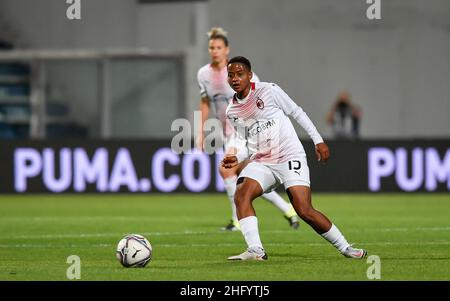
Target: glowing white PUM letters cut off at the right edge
[[427, 168]]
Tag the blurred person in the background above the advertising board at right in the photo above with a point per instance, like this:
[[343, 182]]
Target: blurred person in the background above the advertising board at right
[[344, 117]]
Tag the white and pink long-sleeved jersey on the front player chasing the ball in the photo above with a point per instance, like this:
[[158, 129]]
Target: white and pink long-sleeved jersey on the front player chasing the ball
[[262, 119]]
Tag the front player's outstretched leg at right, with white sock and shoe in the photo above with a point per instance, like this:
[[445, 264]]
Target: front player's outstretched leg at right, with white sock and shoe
[[300, 197]]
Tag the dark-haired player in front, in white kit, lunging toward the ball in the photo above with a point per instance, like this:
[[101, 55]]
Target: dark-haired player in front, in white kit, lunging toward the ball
[[259, 112]]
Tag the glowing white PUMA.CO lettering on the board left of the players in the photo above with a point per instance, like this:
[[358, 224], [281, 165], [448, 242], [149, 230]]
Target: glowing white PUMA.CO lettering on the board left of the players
[[63, 169]]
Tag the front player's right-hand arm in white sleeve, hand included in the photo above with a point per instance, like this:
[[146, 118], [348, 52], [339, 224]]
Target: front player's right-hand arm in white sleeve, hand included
[[290, 108]]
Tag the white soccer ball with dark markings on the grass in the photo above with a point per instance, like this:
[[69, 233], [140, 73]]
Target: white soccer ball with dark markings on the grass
[[134, 250]]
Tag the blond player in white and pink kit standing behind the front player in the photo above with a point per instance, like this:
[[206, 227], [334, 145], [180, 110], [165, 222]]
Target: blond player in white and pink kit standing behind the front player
[[215, 91]]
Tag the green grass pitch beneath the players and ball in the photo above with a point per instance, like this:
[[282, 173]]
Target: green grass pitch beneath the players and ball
[[409, 232]]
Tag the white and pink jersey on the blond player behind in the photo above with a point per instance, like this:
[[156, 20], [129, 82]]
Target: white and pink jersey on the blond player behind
[[214, 85]]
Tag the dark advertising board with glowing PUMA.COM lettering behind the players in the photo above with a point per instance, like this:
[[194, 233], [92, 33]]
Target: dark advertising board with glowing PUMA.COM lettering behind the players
[[151, 166]]
